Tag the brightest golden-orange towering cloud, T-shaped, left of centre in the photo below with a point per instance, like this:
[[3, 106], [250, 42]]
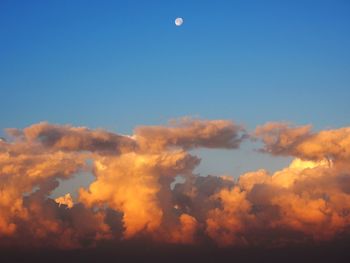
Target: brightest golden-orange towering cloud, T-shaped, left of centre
[[130, 184]]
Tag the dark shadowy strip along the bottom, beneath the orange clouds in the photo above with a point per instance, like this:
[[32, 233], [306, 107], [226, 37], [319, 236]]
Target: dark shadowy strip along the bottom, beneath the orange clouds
[[334, 252]]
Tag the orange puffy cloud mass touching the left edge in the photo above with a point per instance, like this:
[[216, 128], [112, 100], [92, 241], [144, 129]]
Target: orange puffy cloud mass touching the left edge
[[20, 173]]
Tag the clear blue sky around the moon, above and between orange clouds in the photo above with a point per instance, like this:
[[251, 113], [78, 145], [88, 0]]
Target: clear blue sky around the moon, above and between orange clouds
[[118, 64]]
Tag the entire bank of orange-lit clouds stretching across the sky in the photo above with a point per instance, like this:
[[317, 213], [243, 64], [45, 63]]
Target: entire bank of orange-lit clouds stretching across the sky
[[131, 197]]
